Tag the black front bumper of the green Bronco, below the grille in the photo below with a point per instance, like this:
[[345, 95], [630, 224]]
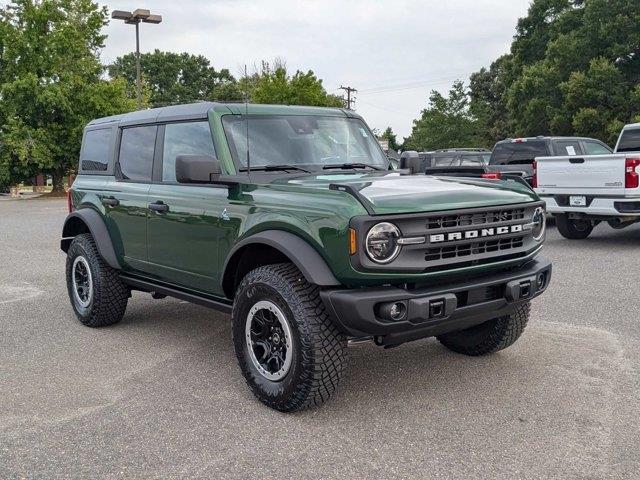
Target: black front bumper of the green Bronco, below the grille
[[436, 309]]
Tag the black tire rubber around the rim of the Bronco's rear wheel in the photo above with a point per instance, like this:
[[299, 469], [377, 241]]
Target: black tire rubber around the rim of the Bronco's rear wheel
[[110, 294]]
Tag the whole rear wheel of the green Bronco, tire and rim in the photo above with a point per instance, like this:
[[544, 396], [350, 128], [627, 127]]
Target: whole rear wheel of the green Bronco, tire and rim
[[97, 294]]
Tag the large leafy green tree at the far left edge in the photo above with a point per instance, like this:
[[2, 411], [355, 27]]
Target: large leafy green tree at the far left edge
[[51, 85]]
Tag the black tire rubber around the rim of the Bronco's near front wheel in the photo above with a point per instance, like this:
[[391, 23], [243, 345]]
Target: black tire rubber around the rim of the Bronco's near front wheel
[[319, 349]]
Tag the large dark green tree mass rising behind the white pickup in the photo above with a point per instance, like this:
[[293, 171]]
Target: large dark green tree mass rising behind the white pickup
[[573, 69]]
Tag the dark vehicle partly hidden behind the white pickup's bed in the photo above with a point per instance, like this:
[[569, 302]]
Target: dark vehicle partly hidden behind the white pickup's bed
[[515, 156]]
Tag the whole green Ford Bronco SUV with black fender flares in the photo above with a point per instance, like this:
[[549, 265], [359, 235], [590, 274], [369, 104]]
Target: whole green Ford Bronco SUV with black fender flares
[[290, 219]]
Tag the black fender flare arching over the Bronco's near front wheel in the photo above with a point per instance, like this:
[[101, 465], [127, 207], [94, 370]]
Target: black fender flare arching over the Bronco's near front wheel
[[304, 256]]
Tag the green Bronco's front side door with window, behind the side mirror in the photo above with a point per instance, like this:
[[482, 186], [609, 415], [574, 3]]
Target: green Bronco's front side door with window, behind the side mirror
[[183, 238]]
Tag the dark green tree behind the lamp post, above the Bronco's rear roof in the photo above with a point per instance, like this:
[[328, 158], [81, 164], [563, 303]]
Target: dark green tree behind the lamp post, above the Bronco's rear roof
[[173, 78]]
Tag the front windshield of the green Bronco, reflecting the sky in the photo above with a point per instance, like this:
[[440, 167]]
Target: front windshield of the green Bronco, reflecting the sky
[[312, 142]]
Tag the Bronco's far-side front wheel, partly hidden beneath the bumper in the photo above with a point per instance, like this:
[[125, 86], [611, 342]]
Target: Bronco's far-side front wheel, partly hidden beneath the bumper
[[488, 337]]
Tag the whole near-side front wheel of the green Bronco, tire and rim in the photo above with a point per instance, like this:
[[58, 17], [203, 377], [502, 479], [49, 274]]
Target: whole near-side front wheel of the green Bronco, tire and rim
[[290, 353]]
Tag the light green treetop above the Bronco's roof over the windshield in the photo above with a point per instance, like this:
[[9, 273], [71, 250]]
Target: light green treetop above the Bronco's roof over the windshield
[[274, 85]]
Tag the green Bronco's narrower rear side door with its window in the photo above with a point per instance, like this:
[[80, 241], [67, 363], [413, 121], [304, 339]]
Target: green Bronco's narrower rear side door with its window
[[125, 197]]
